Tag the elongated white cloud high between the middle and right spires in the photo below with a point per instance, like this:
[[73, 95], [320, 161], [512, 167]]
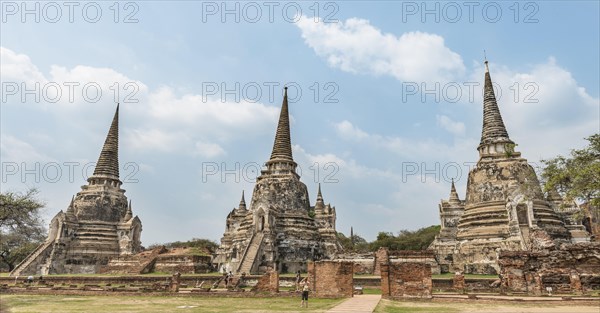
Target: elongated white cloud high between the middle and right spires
[[358, 47]]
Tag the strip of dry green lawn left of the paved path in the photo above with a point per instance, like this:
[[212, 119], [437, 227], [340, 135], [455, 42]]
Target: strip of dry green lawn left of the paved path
[[146, 304]]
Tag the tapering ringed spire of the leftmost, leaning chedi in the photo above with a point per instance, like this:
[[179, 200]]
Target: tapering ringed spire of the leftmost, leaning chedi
[[108, 162]]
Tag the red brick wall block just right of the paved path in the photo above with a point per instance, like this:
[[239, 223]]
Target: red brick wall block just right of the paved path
[[406, 280]]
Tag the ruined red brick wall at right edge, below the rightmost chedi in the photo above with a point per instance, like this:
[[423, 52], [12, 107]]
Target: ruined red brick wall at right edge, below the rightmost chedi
[[572, 268]]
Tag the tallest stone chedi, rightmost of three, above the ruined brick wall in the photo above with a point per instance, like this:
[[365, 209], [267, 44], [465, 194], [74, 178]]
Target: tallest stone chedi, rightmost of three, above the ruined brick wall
[[505, 208]]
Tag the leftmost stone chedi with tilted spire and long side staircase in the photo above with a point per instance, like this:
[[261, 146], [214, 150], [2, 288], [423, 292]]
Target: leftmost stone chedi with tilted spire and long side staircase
[[97, 225]]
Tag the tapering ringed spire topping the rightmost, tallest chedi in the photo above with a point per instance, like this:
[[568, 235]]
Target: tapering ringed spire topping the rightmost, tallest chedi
[[493, 130]]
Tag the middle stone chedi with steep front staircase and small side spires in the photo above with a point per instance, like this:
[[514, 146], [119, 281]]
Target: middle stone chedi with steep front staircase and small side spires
[[280, 230]]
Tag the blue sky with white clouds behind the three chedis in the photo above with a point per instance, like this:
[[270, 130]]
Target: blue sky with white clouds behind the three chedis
[[385, 100]]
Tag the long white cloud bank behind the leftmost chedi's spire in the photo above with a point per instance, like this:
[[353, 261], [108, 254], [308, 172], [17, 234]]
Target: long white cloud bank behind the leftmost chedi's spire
[[196, 126]]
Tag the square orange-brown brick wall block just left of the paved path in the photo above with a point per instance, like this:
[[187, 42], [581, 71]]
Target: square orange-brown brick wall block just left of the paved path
[[331, 279]]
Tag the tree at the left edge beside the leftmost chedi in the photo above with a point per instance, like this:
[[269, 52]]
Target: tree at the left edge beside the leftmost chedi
[[21, 226]]
